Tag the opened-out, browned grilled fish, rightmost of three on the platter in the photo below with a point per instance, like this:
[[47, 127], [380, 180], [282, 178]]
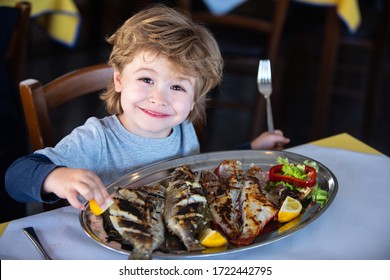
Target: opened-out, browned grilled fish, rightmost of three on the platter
[[237, 202]]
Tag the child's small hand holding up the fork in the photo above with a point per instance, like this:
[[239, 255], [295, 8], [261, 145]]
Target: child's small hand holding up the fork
[[268, 140]]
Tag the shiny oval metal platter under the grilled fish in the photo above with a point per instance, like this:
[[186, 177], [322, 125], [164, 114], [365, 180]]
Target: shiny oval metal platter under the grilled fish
[[93, 226]]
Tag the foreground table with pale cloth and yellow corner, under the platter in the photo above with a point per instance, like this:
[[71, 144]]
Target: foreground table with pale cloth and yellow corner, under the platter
[[353, 227]]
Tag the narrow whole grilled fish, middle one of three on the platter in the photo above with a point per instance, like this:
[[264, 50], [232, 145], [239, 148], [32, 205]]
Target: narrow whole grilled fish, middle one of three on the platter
[[186, 211]]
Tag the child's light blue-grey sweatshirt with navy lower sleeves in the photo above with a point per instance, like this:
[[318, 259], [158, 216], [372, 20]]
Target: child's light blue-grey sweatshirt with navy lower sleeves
[[100, 145]]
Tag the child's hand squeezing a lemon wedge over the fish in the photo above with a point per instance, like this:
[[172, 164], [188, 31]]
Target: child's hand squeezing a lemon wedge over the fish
[[68, 183]]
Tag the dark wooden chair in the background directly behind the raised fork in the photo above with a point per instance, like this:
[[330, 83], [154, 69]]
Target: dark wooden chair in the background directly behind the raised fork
[[261, 40]]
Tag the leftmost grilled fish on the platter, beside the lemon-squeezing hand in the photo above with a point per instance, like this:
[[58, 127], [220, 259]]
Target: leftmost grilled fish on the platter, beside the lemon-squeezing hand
[[137, 216]]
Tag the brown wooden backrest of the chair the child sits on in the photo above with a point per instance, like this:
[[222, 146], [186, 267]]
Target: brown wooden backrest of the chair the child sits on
[[39, 100]]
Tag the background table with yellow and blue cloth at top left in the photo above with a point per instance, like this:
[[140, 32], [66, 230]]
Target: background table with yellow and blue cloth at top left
[[59, 18]]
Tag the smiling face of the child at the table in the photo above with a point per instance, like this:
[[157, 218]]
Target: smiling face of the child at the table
[[154, 96]]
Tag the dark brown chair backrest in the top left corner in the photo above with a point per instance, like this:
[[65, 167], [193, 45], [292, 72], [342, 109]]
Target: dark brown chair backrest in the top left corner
[[15, 52]]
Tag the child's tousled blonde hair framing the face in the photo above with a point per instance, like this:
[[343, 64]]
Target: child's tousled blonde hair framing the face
[[189, 46]]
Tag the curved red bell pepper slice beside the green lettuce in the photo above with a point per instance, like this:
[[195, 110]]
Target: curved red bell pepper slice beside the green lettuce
[[276, 175]]
